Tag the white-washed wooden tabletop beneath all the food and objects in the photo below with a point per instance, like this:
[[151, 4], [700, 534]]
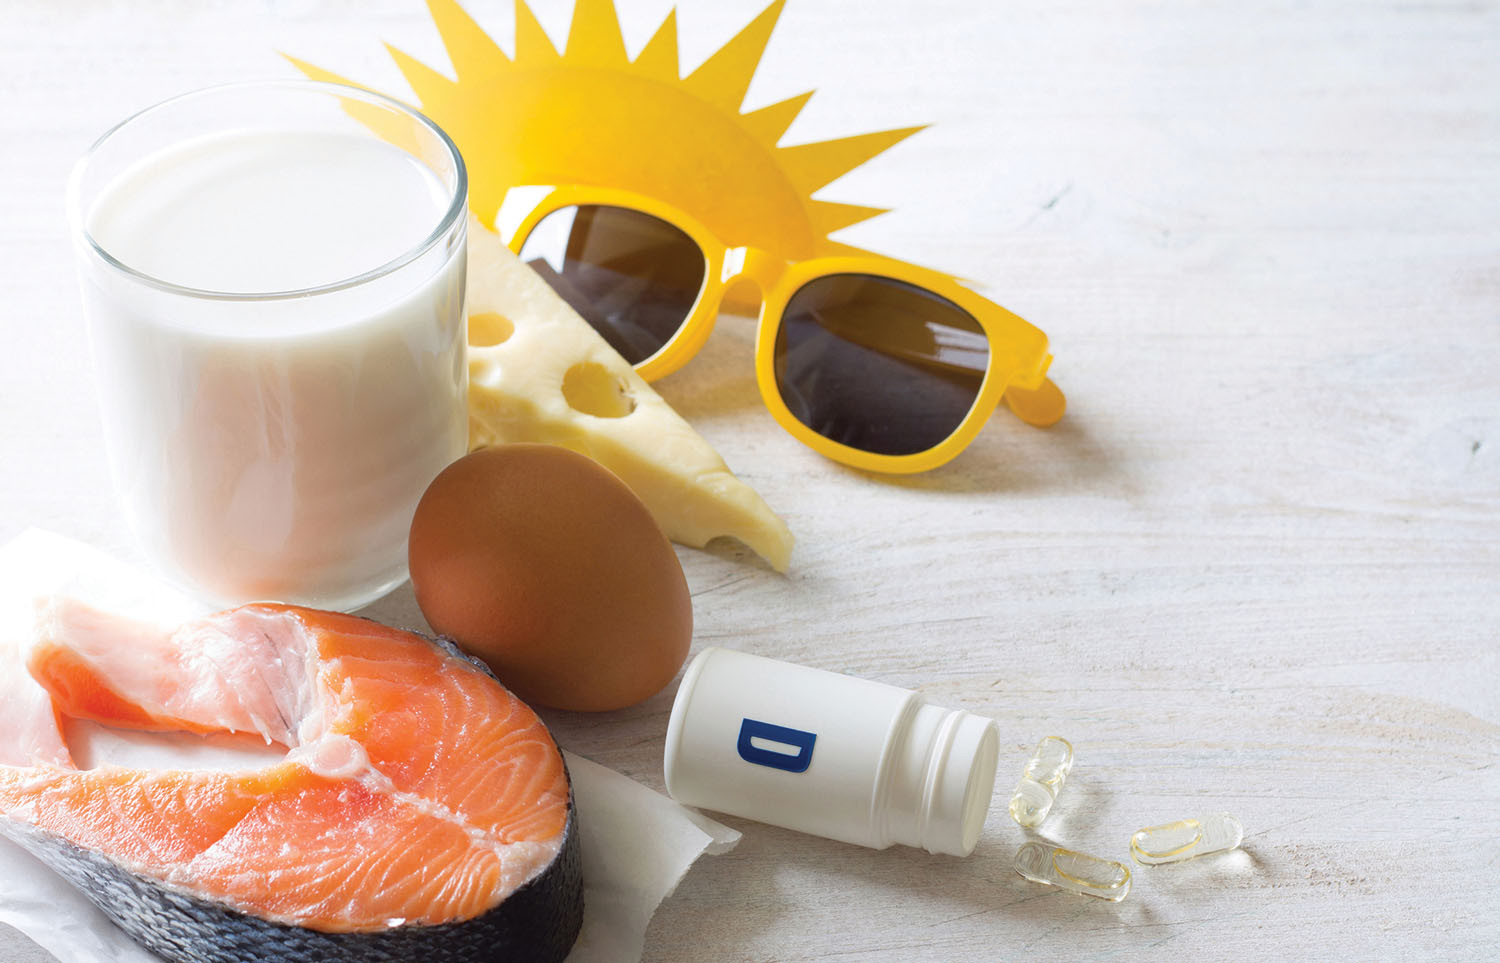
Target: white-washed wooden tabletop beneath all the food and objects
[[1256, 569]]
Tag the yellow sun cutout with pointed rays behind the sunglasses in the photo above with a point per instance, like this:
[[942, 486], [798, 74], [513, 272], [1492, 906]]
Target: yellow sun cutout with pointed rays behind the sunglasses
[[637, 125]]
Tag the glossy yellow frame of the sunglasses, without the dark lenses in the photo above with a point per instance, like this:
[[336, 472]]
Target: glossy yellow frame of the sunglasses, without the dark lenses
[[1018, 364]]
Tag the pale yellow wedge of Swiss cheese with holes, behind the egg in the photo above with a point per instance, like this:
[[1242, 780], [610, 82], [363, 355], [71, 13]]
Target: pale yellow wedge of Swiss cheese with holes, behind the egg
[[541, 374]]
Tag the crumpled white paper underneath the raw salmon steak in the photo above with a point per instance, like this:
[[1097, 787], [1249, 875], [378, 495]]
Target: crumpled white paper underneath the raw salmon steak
[[637, 844]]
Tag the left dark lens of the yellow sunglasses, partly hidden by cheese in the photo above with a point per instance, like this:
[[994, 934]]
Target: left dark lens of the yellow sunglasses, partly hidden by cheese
[[634, 277]]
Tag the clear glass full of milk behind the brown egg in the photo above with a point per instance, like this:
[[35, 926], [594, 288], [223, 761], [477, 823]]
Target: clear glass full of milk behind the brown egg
[[274, 284]]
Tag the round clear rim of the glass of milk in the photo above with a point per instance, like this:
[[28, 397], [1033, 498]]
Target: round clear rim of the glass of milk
[[457, 208]]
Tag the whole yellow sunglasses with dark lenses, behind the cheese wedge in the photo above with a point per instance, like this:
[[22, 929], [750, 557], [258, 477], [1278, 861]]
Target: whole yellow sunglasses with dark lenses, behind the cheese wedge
[[872, 362]]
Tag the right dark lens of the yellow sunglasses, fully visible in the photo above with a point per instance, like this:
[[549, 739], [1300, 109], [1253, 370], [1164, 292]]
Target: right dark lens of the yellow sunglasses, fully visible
[[877, 364]]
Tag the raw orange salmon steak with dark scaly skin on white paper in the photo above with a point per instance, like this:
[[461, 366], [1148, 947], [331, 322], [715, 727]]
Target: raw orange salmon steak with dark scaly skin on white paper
[[421, 812]]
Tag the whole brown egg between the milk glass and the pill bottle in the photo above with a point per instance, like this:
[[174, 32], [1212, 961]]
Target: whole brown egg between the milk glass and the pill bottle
[[550, 569]]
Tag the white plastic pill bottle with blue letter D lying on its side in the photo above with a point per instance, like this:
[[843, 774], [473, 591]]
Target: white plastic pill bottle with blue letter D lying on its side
[[832, 755]]
